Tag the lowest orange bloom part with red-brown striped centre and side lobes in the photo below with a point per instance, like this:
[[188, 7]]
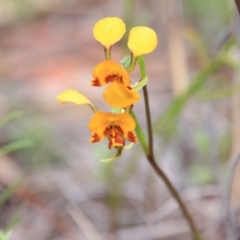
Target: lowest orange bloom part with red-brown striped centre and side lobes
[[116, 127]]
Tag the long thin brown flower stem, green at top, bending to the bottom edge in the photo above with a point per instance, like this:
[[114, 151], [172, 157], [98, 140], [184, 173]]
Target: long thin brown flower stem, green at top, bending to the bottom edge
[[151, 158]]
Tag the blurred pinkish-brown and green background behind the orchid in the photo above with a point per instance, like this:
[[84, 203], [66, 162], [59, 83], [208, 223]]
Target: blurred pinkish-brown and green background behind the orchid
[[52, 183]]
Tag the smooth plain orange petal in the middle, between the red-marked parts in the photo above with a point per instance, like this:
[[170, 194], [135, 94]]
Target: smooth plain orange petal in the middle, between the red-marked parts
[[119, 96]]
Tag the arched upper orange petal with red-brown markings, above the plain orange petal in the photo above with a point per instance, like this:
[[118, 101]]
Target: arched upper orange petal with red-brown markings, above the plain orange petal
[[110, 71]]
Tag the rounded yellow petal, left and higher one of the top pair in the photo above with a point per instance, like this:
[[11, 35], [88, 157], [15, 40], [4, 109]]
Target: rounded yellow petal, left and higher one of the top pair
[[109, 30]]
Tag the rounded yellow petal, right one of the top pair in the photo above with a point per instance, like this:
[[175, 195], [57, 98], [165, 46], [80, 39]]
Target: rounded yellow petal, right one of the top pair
[[142, 40]]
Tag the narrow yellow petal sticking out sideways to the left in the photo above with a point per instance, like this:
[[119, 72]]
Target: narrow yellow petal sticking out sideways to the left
[[72, 96]]
